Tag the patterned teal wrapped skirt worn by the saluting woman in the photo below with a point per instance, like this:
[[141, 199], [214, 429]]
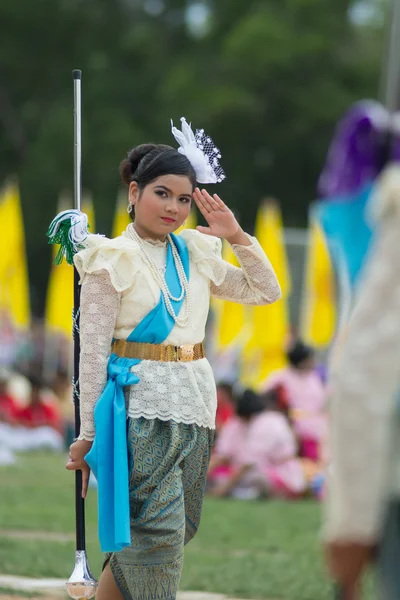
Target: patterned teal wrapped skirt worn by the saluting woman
[[169, 463]]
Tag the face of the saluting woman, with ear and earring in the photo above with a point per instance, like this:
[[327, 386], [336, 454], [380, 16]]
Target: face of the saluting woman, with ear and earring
[[162, 206]]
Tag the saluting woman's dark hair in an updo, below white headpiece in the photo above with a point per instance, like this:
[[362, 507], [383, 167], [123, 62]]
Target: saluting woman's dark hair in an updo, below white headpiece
[[149, 161]]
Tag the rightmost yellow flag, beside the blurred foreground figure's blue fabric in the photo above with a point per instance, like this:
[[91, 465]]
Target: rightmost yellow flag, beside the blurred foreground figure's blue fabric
[[319, 304]]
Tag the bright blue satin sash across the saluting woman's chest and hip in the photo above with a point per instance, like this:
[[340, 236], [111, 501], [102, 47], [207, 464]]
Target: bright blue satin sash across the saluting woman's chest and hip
[[108, 457]]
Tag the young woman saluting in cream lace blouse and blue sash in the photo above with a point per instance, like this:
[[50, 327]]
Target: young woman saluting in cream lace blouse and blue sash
[[145, 297]]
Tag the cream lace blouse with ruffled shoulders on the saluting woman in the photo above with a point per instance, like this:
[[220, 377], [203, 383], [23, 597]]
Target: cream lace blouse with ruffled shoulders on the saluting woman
[[118, 291]]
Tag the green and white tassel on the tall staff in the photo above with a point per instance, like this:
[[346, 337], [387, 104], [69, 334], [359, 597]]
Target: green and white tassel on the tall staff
[[70, 230]]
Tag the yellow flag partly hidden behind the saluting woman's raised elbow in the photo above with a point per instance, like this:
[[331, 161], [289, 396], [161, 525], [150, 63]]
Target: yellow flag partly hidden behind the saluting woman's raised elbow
[[265, 351]]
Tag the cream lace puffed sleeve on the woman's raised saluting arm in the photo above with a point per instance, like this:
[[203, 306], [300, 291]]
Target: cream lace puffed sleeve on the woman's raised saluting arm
[[253, 283]]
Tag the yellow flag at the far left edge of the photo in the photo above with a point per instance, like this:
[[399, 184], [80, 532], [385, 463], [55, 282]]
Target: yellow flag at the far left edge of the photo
[[14, 283]]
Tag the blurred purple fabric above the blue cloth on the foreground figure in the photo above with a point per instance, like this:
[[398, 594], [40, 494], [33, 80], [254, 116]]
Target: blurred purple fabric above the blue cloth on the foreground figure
[[358, 150]]
